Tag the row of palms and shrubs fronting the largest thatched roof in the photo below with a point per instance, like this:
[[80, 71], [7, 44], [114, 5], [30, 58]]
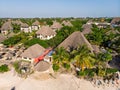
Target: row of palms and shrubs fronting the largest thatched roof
[[85, 62]]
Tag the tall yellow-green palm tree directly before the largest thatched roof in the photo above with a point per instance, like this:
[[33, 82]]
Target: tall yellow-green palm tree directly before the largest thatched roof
[[83, 58]]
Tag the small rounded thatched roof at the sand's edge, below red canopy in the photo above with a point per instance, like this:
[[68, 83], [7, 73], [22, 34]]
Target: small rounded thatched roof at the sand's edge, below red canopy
[[42, 66]]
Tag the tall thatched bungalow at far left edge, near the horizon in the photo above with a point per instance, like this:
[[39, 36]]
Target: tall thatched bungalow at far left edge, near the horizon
[[6, 28]]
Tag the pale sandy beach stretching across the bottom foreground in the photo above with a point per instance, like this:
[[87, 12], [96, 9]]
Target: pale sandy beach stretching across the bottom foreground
[[43, 81]]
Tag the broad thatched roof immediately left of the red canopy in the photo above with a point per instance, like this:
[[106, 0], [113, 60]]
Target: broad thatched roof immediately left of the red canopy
[[33, 51]]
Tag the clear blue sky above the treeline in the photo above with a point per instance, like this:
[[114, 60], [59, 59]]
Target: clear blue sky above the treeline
[[59, 8]]
